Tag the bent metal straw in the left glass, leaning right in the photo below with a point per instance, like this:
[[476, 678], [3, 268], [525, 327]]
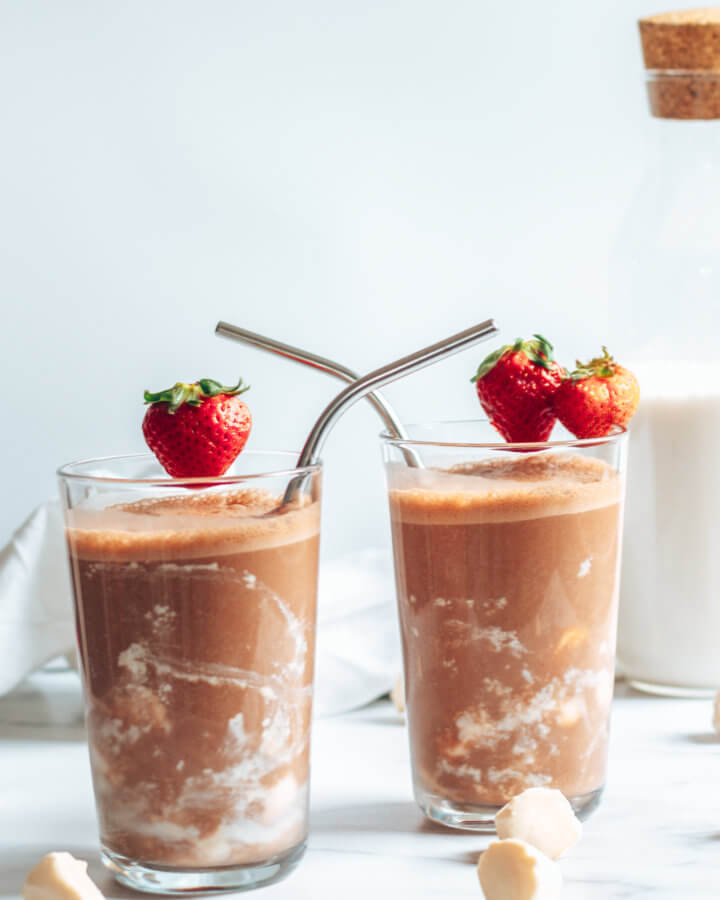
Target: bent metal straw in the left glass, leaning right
[[310, 453]]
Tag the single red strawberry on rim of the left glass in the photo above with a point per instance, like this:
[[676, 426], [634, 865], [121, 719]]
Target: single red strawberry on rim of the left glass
[[197, 429]]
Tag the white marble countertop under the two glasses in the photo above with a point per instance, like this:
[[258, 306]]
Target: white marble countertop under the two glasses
[[656, 833]]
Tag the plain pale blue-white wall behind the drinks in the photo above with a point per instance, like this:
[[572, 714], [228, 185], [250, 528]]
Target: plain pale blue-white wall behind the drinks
[[358, 178]]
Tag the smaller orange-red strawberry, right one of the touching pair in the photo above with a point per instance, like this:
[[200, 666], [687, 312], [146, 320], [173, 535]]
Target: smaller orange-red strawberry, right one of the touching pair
[[596, 396]]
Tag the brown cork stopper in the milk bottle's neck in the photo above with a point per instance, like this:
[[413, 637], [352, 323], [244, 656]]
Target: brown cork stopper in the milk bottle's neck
[[681, 51]]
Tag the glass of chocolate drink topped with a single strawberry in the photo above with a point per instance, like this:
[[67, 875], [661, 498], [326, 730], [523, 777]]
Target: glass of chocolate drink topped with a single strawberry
[[195, 607]]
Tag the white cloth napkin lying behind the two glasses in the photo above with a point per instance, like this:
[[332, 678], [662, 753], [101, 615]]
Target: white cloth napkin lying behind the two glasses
[[358, 650]]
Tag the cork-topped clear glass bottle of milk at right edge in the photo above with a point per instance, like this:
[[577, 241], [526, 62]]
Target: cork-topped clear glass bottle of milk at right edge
[[664, 308]]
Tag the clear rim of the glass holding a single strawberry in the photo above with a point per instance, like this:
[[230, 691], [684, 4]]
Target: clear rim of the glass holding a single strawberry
[[66, 471]]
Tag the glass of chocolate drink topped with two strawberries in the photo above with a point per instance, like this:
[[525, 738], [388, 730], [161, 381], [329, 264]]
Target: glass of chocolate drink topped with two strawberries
[[506, 565]]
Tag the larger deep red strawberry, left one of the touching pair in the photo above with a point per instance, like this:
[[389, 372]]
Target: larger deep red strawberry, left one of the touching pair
[[515, 385]]
